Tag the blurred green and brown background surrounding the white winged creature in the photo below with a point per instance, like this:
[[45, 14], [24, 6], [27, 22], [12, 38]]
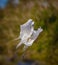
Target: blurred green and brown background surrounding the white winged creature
[[13, 13]]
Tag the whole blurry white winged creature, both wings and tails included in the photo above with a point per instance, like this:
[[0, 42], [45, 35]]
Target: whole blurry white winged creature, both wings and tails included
[[27, 34]]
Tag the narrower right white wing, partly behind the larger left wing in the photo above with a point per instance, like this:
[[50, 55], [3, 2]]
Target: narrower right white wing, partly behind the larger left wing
[[33, 37]]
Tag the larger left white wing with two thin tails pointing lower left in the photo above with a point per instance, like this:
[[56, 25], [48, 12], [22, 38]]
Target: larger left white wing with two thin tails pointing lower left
[[26, 31]]
